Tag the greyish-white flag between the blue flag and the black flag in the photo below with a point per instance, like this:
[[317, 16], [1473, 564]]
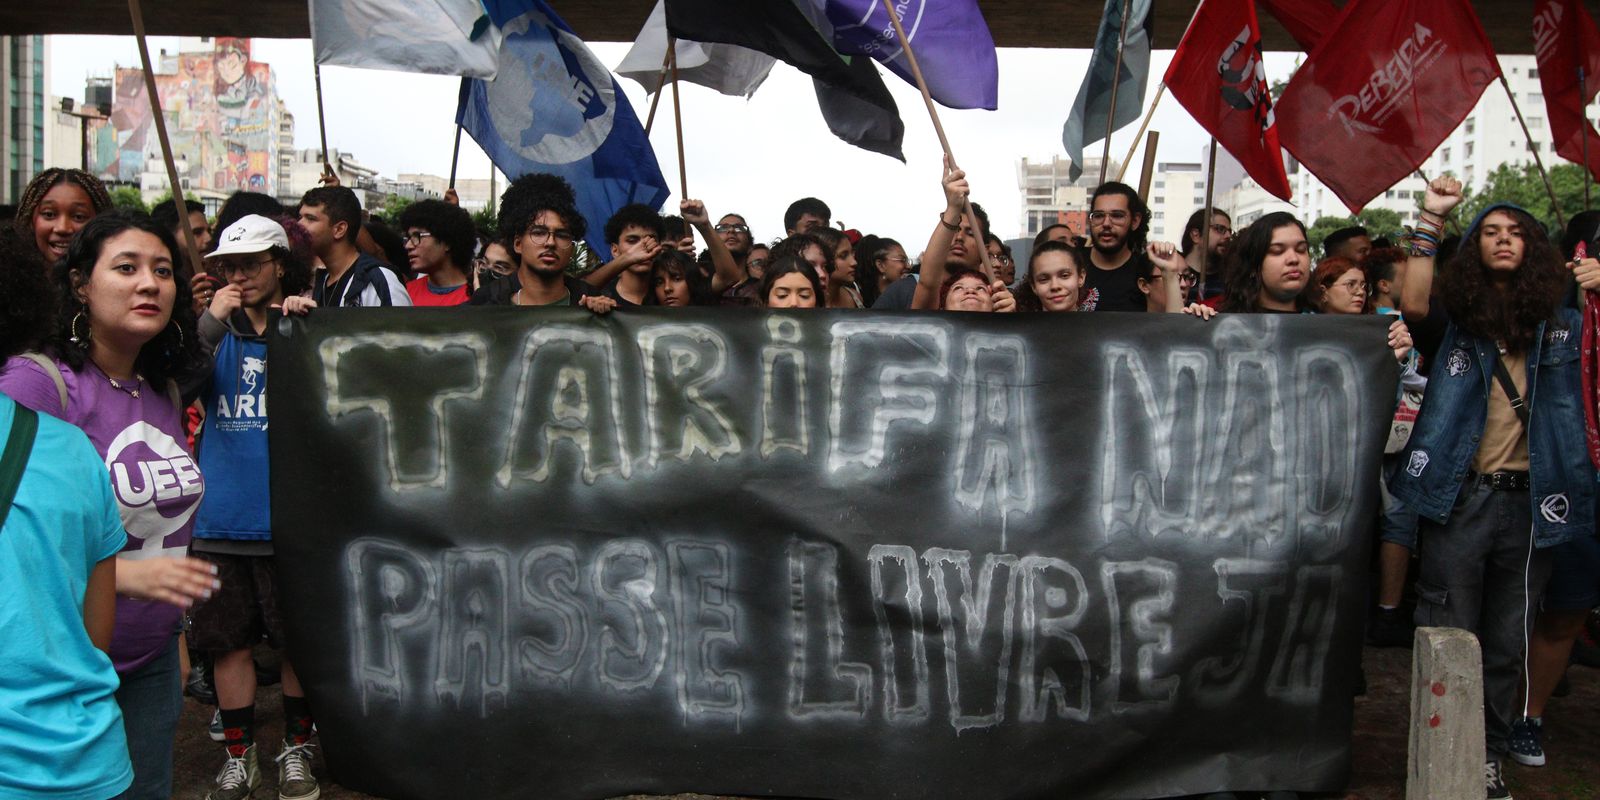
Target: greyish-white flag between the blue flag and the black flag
[[729, 70]]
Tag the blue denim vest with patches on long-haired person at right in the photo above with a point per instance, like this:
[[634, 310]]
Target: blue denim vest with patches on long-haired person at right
[[1450, 430]]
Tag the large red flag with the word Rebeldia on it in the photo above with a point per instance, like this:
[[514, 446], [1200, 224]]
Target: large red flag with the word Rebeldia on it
[[1383, 90]]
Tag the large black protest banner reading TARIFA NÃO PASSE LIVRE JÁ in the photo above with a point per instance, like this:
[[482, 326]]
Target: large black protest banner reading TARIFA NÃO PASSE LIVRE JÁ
[[826, 554]]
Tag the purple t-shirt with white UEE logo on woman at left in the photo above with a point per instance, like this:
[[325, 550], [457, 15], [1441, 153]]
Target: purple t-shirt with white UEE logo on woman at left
[[153, 476]]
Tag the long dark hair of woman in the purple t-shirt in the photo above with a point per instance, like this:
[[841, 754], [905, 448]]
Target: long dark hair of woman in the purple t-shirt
[[175, 353]]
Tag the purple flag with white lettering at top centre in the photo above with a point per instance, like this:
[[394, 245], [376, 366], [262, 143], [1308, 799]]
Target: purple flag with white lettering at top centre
[[950, 39]]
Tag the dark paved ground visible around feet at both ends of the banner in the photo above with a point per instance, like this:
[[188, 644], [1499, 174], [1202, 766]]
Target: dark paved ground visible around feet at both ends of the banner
[[1572, 742]]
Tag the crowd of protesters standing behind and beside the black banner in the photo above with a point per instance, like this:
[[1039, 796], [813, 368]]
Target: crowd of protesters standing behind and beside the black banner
[[142, 380]]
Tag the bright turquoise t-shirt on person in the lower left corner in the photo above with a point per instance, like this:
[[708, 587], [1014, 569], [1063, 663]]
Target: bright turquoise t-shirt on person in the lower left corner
[[60, 727]]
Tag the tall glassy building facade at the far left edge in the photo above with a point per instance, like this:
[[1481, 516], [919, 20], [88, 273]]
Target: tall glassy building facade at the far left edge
[[25, 116]]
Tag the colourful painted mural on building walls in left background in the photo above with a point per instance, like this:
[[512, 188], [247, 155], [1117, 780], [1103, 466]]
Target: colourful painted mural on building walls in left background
[[222, 119]]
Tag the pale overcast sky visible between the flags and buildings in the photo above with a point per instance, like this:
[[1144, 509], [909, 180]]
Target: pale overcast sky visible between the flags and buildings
[[750, 156]]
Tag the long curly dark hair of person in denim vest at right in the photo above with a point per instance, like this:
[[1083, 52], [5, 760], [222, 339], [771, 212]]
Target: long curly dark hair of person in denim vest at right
[[1510, 314]]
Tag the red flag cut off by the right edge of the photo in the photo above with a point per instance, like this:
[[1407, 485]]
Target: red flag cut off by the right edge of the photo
[[1566, 41]]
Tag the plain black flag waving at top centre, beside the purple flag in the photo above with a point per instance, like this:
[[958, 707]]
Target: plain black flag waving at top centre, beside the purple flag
[[799, 34]]
